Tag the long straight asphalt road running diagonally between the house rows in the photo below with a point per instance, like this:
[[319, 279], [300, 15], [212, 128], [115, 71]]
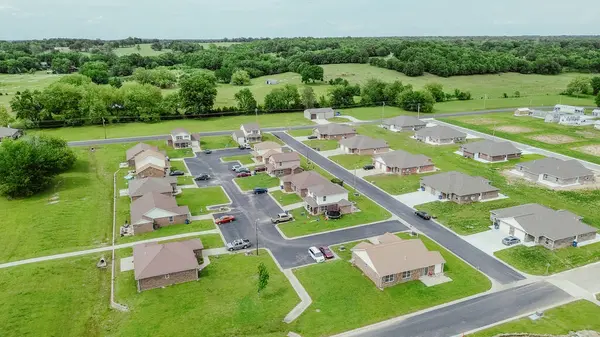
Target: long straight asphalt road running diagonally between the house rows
[[487, 264]]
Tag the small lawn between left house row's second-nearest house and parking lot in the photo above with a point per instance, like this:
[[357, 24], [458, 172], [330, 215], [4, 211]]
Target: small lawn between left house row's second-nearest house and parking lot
[[198, 199]]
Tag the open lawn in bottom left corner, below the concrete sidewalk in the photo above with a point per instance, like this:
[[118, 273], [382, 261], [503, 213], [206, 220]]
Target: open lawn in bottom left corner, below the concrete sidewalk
[[67, 297]]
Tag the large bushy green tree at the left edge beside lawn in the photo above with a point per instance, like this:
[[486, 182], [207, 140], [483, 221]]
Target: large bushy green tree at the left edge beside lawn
[[29, 165]]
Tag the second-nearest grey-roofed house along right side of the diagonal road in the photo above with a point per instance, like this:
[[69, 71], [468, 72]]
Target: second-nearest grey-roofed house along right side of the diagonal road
[[458, 187]]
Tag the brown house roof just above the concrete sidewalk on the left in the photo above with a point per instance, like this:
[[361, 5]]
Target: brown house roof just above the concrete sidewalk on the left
[[155, 205]]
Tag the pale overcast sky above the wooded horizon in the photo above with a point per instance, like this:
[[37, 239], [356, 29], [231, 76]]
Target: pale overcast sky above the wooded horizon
[[173, 19]]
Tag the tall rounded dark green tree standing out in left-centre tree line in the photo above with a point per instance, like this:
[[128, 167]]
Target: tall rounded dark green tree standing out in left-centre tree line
[[198, 93]]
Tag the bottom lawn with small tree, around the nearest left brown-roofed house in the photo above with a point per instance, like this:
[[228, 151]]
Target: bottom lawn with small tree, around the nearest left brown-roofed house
[[223, 302]]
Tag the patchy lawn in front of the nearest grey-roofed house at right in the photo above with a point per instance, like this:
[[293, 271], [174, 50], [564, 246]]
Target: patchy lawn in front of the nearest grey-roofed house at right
[[534, 260]]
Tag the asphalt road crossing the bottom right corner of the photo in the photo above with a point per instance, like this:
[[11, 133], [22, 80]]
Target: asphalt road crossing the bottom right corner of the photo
[[465, 316]]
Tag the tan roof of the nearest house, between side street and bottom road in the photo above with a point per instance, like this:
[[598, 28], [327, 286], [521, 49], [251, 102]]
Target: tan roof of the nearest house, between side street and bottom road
[[396, 256]]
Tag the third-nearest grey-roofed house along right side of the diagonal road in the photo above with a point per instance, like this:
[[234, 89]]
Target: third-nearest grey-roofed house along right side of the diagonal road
[[403, 163]]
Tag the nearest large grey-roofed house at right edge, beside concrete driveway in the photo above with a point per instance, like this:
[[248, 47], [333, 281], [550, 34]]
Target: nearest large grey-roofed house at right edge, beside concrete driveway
[[541, 225]]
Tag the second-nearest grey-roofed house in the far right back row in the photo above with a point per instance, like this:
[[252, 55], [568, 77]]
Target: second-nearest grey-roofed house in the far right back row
[[491, 151]]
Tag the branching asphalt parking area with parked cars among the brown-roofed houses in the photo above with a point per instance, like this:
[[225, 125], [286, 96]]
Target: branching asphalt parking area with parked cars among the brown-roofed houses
[[255, 211]]
